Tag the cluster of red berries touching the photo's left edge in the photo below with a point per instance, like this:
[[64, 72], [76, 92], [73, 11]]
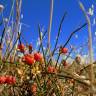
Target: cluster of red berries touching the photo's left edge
[[7, 80]]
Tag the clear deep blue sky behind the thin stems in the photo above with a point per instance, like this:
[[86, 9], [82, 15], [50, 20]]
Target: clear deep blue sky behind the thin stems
[[37, 12]]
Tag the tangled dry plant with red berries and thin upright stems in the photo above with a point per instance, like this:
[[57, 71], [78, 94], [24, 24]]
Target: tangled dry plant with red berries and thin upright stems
[[25, 71]]
